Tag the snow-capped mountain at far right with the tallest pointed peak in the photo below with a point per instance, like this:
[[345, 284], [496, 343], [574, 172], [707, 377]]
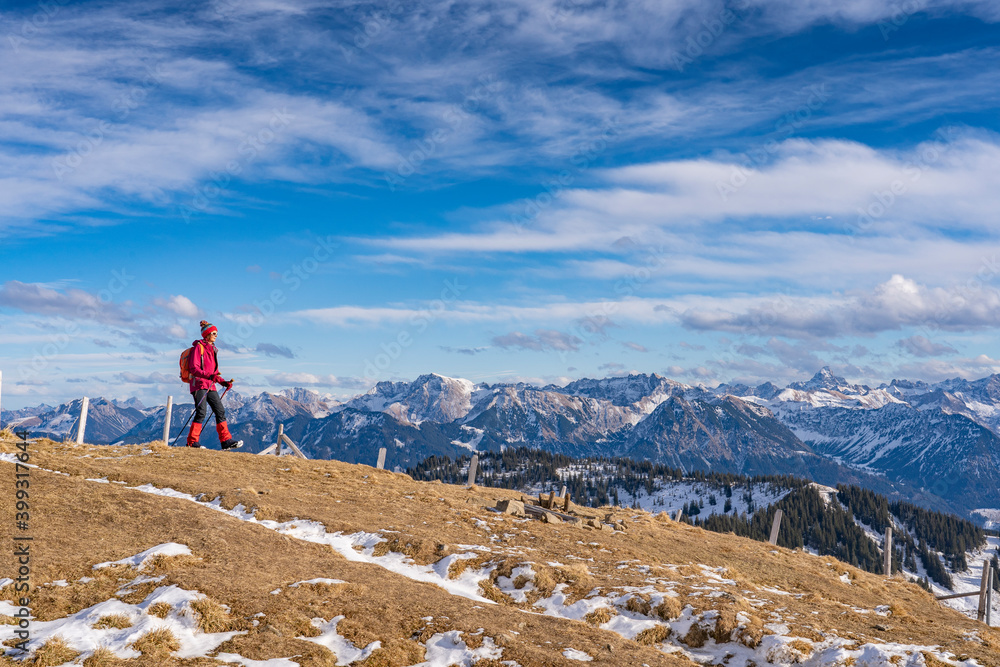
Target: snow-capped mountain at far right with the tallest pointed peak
[[939, 439]]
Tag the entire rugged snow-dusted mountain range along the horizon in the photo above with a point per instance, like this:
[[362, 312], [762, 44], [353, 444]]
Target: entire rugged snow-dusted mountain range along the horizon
[[937, 444]]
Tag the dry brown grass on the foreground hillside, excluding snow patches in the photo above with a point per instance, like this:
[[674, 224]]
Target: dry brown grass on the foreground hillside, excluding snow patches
[[242, 563]]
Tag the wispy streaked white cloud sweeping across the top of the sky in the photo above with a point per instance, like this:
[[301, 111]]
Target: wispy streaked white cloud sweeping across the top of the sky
[[153, 123]]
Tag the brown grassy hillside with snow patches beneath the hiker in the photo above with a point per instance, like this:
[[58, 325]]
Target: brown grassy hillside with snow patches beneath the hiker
[[149, 555]]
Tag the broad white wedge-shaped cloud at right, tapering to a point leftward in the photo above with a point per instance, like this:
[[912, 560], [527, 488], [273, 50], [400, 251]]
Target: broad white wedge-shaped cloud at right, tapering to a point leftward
[[865, 191]]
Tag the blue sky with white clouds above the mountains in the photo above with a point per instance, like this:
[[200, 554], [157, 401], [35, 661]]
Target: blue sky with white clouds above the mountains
[[521, 191]]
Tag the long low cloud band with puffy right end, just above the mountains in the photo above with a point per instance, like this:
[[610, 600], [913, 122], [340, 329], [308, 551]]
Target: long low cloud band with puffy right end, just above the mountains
[[892, 305]]
